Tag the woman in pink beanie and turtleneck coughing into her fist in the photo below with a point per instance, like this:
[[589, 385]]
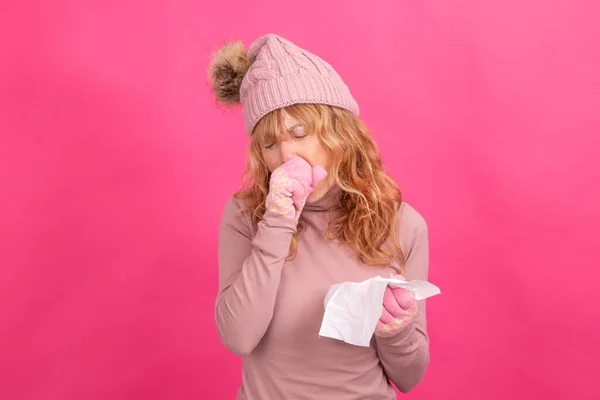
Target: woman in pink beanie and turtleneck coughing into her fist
[[318, 210]]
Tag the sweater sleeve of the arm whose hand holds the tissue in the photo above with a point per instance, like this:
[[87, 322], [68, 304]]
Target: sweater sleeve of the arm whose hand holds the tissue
[[405, 357]]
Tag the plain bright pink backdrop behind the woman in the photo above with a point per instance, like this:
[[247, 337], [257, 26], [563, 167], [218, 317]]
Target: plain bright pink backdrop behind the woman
[[115, 165]]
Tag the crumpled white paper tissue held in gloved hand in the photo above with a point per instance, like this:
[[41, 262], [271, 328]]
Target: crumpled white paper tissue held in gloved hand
[[352, 309]]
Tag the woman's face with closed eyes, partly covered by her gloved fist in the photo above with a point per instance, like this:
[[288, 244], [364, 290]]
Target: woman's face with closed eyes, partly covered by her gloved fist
[[296, 141]]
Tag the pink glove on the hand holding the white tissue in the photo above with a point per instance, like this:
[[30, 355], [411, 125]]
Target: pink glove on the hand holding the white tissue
[[399, 309]]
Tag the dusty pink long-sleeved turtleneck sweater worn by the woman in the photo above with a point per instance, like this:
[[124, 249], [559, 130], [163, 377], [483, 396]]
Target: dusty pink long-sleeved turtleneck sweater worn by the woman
[[269, 310]]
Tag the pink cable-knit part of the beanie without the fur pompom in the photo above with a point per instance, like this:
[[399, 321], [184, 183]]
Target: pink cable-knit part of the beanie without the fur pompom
[[283, 74]]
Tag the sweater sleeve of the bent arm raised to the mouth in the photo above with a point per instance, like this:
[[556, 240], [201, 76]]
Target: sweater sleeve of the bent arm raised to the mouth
[[249, 274]]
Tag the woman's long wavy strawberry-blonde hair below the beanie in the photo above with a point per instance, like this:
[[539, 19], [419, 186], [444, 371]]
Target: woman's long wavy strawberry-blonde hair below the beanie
[[369, 199]]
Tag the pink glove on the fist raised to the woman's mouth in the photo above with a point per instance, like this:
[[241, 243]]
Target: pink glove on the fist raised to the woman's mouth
[[290, 185]]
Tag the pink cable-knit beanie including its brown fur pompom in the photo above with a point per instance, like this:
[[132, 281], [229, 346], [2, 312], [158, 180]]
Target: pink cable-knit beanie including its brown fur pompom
[[272, 74]]
